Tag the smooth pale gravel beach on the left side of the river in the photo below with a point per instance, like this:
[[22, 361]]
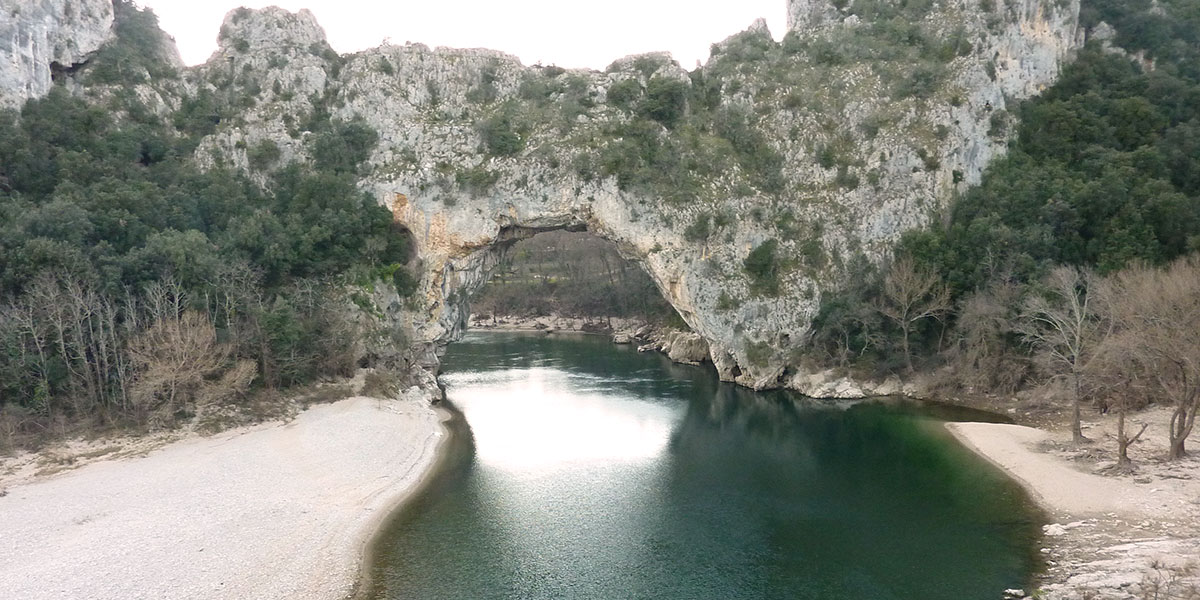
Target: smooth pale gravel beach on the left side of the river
[[277, 512]]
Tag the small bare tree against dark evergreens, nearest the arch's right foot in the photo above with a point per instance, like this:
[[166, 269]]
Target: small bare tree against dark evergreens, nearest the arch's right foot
[[910, 297]]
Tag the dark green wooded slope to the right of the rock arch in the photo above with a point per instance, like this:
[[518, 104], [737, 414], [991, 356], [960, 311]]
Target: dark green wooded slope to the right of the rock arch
[[1103, 179]]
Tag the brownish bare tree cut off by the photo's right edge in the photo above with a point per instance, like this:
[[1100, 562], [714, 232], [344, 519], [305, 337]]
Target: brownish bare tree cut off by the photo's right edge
[[1157, 313]]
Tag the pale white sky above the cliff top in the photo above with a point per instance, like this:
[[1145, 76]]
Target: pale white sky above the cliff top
[[565, 33]]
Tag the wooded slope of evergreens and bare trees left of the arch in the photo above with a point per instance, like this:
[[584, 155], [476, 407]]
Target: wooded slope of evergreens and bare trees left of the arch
[[137, 289]]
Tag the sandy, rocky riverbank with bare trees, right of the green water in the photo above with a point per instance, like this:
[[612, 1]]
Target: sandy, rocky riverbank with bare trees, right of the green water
[[1112, 536]]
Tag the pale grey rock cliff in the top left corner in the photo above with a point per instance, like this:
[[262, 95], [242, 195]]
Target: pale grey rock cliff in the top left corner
[[39, 38]]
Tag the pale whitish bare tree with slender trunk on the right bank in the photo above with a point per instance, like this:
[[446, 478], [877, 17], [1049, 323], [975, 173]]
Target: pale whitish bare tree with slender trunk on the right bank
[[1063, 327]]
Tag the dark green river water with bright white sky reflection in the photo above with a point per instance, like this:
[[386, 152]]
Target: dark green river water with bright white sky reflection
[[593, 472]]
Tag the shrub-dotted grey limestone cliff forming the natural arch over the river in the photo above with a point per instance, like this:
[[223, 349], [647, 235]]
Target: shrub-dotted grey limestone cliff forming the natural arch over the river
[[825, 148]]
